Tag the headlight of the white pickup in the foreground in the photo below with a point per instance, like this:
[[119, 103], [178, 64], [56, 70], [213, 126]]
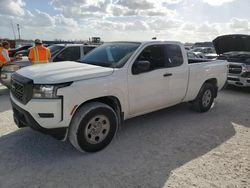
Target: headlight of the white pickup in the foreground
[[47, 91]]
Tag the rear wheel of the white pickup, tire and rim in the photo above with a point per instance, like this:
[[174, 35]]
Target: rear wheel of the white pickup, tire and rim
[[205, 98]]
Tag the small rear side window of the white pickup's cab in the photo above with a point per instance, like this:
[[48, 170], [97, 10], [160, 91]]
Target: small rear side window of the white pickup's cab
[[174, 55]]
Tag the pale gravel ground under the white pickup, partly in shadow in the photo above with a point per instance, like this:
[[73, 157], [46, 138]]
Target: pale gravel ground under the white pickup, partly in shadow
[[174, 147]]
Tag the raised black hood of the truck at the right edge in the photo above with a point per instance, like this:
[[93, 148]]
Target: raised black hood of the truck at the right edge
[[230, 43]]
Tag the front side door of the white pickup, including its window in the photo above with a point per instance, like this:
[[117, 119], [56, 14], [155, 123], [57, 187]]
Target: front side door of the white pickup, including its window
[[149, 90]]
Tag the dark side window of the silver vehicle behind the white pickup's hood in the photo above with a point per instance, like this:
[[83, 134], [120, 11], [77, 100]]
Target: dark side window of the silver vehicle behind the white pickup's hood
[[69, 54]]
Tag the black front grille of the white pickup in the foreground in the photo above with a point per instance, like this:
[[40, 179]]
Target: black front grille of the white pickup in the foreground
[[21, 88]]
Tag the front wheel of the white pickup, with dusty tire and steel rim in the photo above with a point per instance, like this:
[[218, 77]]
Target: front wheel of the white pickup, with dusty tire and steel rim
[[93, 127]]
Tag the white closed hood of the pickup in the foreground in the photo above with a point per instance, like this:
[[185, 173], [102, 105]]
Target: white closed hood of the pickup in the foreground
[[62, 72]]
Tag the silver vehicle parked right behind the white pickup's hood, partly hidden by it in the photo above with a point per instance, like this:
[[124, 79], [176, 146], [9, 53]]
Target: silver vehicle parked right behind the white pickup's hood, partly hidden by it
[[59, 52]]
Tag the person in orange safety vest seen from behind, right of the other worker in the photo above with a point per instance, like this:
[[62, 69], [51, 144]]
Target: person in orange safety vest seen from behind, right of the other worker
[[39, 54]]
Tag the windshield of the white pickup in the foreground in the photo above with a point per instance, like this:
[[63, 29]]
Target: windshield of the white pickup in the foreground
[[113, 55]]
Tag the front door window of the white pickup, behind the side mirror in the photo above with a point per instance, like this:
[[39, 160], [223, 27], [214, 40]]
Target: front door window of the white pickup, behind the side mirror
[[155, 55]]
